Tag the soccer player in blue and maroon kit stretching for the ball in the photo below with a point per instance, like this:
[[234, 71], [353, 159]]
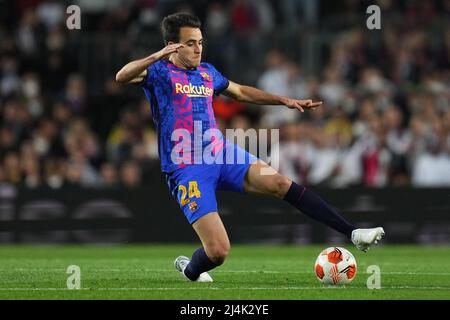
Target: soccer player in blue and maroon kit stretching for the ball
[[180, 88]]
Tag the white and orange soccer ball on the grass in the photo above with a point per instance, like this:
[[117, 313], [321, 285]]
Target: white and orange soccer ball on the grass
[[335, 265]]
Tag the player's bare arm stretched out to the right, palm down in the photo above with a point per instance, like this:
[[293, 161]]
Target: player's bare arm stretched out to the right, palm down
[[253, 95]]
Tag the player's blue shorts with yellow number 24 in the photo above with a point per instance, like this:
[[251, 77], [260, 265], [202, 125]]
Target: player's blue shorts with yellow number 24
[[195, 185]]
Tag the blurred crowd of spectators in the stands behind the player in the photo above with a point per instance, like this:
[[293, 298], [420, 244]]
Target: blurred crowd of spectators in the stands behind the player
[[385, 119]]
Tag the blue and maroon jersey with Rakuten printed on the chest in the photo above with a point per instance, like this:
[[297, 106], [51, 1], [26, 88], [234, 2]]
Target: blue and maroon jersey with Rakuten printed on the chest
[[182, 99]]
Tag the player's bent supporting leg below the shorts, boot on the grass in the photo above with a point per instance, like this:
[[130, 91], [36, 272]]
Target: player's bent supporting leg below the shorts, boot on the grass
[[216, 246]]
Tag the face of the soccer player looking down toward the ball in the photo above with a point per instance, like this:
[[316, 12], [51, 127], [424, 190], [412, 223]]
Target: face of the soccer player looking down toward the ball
[[191, 54]]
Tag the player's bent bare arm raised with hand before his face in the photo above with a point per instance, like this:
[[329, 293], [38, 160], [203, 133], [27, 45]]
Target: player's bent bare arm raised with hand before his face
[[135, 71]]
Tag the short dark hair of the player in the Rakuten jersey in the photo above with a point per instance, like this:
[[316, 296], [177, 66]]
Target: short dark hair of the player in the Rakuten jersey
[[171, 25]]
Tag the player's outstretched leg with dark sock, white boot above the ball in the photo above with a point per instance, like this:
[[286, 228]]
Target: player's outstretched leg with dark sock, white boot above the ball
[[307, 202]]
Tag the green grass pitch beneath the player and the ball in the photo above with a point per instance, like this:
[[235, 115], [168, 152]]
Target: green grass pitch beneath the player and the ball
[[250, 272]]
